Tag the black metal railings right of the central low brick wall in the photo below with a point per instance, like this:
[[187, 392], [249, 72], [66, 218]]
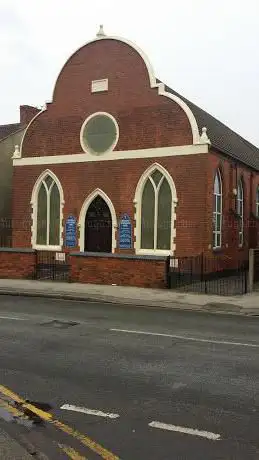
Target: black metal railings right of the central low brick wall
[[210, 275]]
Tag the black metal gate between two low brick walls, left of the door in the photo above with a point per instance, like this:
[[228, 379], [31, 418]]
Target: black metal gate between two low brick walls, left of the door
[[52, 266]]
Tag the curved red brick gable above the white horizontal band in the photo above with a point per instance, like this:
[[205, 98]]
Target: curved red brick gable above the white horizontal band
[[146, 120]]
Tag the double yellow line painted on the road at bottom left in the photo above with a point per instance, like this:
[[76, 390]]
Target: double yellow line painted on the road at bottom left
[[47, 417]]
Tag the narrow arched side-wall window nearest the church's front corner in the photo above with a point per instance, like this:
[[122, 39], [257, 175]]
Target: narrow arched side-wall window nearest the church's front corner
[[217, 211]]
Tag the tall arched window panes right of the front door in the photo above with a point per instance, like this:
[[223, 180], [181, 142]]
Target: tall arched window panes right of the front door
[[156, 213]]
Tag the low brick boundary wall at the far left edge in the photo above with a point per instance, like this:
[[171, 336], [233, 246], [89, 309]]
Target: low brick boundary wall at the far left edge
[[17, 264]]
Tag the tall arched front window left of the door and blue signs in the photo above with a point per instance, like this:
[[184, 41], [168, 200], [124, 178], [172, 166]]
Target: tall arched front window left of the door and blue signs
[[47, 213]]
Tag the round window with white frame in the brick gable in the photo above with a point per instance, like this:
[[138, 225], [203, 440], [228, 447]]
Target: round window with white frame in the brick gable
[[99, 134]]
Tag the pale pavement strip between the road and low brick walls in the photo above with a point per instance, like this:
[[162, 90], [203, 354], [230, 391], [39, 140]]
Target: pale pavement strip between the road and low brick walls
[[247, 304]]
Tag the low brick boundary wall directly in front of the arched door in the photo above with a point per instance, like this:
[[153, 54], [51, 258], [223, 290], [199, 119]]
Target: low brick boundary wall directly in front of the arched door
[[118, 270]]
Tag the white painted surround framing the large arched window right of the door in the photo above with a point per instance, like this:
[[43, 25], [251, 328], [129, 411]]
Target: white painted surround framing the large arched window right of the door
[[137, 202]]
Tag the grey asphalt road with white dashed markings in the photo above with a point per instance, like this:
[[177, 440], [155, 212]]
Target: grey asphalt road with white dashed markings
[[154, 376]]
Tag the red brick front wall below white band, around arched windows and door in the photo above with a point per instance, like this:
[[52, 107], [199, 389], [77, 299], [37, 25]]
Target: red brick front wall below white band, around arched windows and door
[[81, 179]]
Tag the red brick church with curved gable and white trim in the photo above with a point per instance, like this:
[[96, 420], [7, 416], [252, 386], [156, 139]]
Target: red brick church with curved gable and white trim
[[121, 166]]
